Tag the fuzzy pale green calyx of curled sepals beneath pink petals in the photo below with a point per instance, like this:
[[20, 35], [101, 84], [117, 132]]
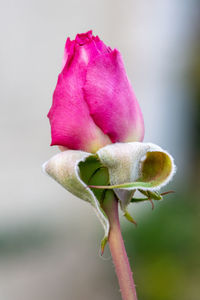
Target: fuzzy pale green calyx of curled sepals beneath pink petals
[[121, 168]]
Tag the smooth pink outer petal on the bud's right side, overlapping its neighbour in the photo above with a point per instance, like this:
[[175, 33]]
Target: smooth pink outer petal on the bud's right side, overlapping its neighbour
[[111, 100]]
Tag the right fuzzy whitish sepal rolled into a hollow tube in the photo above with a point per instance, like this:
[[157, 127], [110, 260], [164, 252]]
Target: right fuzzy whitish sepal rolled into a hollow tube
[[132, 166]]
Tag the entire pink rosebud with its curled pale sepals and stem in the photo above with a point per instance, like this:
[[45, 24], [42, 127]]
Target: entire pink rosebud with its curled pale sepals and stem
[[93, 106]]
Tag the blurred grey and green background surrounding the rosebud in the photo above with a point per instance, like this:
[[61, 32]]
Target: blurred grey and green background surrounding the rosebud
[[49, 240]]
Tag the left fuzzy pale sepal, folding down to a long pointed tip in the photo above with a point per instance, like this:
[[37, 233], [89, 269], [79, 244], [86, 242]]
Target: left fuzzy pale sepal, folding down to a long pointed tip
[[65, 168]]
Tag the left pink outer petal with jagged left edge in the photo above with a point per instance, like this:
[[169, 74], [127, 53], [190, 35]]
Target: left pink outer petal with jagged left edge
[[71, 123]]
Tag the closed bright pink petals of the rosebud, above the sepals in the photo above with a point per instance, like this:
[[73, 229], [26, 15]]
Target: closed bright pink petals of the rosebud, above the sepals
[[93, 103]]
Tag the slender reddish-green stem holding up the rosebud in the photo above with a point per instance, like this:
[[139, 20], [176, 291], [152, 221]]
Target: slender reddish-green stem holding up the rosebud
[[118, 252]]
